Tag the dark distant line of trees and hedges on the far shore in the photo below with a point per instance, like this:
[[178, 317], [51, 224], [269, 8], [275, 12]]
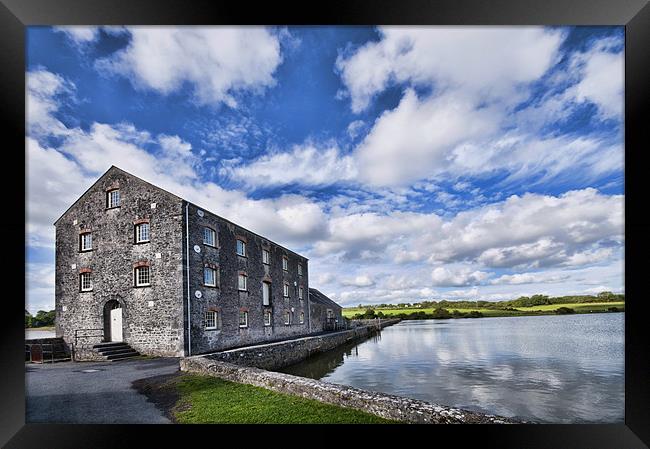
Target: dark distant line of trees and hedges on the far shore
[[522, 301]]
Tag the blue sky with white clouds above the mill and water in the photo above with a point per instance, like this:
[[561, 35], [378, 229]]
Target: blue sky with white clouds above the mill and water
[[407, 163]]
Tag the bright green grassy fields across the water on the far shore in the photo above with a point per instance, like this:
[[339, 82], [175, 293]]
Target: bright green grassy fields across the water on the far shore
[[522, 311]]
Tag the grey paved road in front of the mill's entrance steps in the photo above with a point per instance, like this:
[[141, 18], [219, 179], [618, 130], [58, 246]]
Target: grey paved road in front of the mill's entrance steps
[[93, 392]]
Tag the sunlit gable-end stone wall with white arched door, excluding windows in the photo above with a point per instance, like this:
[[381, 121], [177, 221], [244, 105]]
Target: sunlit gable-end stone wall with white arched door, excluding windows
[[152, 316]]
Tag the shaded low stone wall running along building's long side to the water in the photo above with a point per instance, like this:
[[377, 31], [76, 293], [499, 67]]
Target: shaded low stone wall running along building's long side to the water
[[273, 356]]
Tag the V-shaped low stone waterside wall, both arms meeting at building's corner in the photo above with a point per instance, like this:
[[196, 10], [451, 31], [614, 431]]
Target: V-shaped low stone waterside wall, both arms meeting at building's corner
[[249, 366]]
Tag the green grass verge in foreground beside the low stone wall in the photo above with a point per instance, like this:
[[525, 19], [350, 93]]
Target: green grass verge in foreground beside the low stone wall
[[205, 399]]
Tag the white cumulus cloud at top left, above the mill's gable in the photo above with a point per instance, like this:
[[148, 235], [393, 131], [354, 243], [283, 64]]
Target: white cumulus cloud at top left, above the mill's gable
[[215, 61]]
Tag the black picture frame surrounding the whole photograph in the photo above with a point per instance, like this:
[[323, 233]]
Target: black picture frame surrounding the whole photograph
[[16, 15]]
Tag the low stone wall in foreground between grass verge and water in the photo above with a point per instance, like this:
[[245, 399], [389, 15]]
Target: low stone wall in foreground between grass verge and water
[[383, 405]]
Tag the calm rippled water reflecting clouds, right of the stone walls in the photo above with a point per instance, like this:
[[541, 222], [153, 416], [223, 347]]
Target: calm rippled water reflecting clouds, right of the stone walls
[[561, 369]]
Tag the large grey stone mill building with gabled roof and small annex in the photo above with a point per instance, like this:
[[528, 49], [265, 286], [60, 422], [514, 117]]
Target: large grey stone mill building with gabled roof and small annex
[[140, 265]]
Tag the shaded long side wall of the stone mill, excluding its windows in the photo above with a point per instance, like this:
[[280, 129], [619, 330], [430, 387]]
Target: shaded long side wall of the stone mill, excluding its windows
[[226, 298]]
